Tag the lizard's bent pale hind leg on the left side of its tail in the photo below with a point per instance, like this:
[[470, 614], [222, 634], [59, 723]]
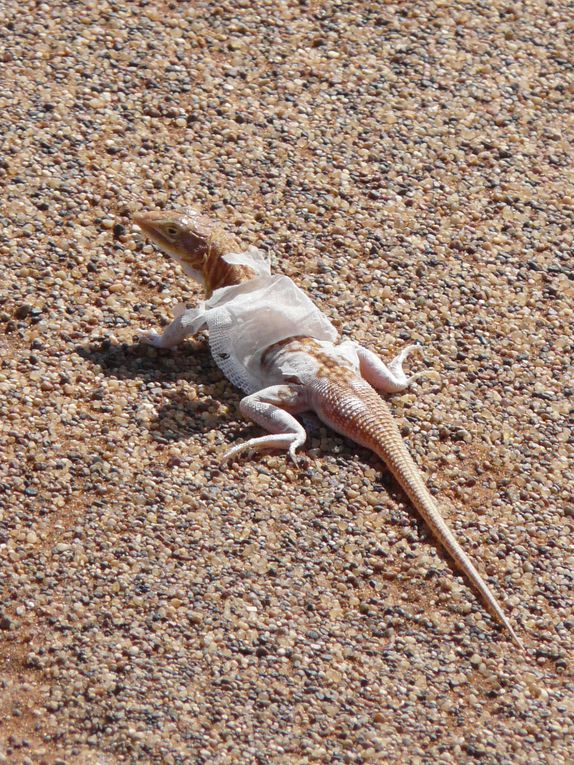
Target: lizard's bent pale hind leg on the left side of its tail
[[273, 408]]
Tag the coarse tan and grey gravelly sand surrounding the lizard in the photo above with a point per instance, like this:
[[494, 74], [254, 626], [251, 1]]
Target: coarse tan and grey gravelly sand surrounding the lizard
[[410, 166]]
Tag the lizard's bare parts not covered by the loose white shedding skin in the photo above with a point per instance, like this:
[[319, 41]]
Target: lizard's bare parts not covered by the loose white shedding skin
[[320, 377]]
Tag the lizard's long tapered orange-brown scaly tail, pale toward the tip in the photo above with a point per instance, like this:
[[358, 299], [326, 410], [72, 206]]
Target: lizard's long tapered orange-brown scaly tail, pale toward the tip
[[359, 413]]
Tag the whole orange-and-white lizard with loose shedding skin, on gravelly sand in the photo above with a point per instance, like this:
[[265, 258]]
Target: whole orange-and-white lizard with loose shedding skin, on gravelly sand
[[270, 340]]
